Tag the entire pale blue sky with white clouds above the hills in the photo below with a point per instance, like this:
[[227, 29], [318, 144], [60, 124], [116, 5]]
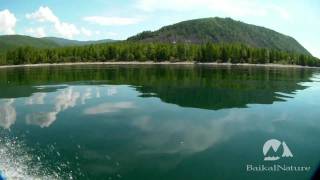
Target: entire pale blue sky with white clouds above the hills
[[101, 19]]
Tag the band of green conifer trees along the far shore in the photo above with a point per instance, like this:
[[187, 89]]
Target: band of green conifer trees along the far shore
[[157, 52]]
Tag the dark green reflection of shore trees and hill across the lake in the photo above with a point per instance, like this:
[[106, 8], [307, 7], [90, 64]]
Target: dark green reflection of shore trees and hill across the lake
[[188, 86]]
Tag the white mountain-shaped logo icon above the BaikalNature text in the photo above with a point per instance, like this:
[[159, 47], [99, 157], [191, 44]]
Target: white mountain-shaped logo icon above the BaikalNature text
[[273, 145]]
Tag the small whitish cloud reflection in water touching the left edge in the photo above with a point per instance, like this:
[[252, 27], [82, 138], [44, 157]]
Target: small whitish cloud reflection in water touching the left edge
[[7, 113]]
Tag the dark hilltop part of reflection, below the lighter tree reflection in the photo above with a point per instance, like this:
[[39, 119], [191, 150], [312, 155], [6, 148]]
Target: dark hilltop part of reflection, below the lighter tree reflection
[[208, 98]]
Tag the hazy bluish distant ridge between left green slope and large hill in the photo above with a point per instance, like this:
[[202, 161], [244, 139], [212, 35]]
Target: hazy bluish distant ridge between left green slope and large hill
[[67, 42]]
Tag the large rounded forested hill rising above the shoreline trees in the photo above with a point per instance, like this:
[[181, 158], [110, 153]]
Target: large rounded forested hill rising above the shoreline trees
[[221, 30]]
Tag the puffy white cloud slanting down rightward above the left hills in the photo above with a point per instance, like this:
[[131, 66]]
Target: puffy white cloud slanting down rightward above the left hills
[[45, 14]]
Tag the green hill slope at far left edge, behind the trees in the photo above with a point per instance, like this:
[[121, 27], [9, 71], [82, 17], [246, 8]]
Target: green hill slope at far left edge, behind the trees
[[8, 42]]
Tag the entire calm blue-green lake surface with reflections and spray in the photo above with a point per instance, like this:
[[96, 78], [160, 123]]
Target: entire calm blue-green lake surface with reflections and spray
[[157, 122]]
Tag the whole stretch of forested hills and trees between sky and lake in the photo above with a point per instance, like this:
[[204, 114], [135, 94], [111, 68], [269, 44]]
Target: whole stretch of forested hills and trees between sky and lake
[[203, 40]]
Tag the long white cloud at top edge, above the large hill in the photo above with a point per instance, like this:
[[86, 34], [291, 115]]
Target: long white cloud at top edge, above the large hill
[[227, 7]]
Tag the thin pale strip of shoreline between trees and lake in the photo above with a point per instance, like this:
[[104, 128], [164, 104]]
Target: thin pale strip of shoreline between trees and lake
[[157, 63]]
